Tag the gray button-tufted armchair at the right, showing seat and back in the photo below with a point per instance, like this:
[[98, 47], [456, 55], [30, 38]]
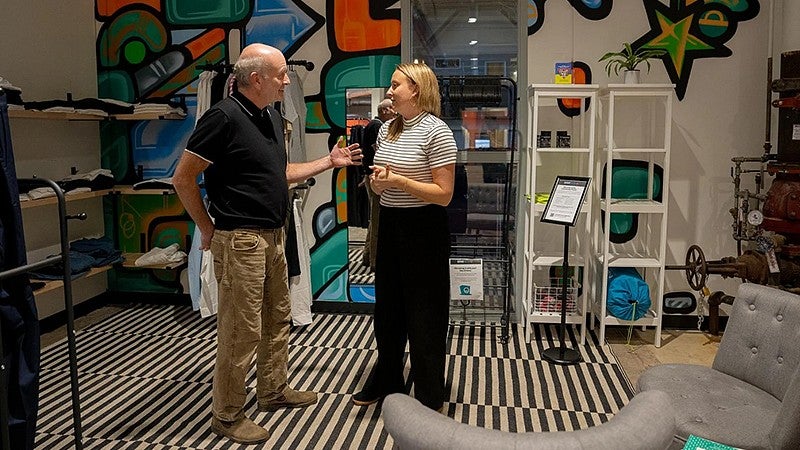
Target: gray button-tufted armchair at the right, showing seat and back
[[750, 397]]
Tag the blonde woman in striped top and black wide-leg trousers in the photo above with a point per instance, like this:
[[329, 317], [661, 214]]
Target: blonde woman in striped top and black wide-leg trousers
[[414, 174]]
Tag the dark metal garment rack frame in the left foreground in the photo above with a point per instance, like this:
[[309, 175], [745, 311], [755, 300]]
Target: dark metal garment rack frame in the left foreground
[[63, 258]]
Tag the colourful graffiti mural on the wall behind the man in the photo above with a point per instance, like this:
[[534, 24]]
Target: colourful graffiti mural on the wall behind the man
[[154, 51]]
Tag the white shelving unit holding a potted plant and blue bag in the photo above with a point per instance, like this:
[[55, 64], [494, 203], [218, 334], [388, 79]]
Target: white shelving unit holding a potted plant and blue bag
[[636, 120]]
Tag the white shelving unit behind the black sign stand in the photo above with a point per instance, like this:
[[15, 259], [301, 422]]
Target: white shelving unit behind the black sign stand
[[543, 242]]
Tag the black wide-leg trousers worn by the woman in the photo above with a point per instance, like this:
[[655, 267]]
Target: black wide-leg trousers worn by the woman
[[412, 291]]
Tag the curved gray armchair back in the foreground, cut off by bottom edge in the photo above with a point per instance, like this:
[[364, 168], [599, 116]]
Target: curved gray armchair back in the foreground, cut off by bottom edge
[[644, 423]]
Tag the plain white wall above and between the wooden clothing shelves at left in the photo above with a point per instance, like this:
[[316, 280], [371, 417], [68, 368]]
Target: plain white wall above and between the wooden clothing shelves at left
[[48, 49]]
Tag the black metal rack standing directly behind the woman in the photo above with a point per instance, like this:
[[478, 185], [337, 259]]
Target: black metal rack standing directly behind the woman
[[487, 91]]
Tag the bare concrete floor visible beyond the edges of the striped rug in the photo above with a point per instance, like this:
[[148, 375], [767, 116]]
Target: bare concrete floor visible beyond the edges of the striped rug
[[677, 346]]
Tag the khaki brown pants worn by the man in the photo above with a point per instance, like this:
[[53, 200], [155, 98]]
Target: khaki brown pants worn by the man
[[253, 317]]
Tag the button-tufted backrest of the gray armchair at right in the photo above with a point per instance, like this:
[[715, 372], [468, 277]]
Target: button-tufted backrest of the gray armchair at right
[[761, 346]]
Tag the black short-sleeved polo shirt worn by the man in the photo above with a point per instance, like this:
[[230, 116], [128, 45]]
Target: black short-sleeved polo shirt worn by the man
[[246, 181]]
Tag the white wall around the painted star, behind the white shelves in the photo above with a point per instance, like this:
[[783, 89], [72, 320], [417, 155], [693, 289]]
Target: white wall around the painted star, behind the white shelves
[[721, 116]]
